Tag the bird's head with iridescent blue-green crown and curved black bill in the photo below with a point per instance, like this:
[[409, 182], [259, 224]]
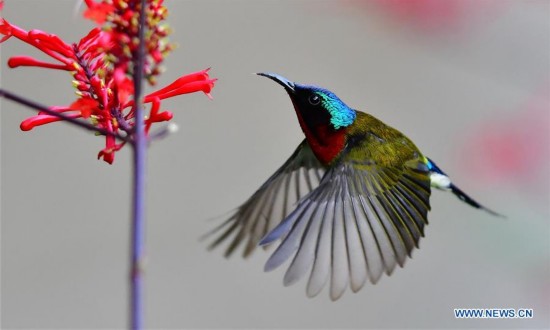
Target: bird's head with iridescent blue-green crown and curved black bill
[[315, 105]]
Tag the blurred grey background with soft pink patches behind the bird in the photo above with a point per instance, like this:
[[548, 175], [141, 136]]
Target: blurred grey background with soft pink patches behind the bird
[[468, 81]]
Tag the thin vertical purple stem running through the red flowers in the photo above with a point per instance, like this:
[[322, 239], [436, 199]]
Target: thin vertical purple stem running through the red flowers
[[137, 247]]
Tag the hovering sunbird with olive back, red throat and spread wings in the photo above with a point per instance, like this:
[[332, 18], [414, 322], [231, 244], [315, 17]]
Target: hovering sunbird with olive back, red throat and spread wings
[[349, 205]]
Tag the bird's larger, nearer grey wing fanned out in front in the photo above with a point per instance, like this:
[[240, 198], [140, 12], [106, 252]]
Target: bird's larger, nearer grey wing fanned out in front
[[361, 221]]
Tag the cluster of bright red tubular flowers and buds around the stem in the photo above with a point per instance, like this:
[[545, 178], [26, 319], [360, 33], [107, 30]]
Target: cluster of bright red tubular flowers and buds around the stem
[[100, 64]]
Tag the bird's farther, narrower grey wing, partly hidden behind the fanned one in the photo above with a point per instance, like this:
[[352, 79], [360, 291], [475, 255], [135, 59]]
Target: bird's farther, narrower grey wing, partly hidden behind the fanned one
[[272, 202]]
